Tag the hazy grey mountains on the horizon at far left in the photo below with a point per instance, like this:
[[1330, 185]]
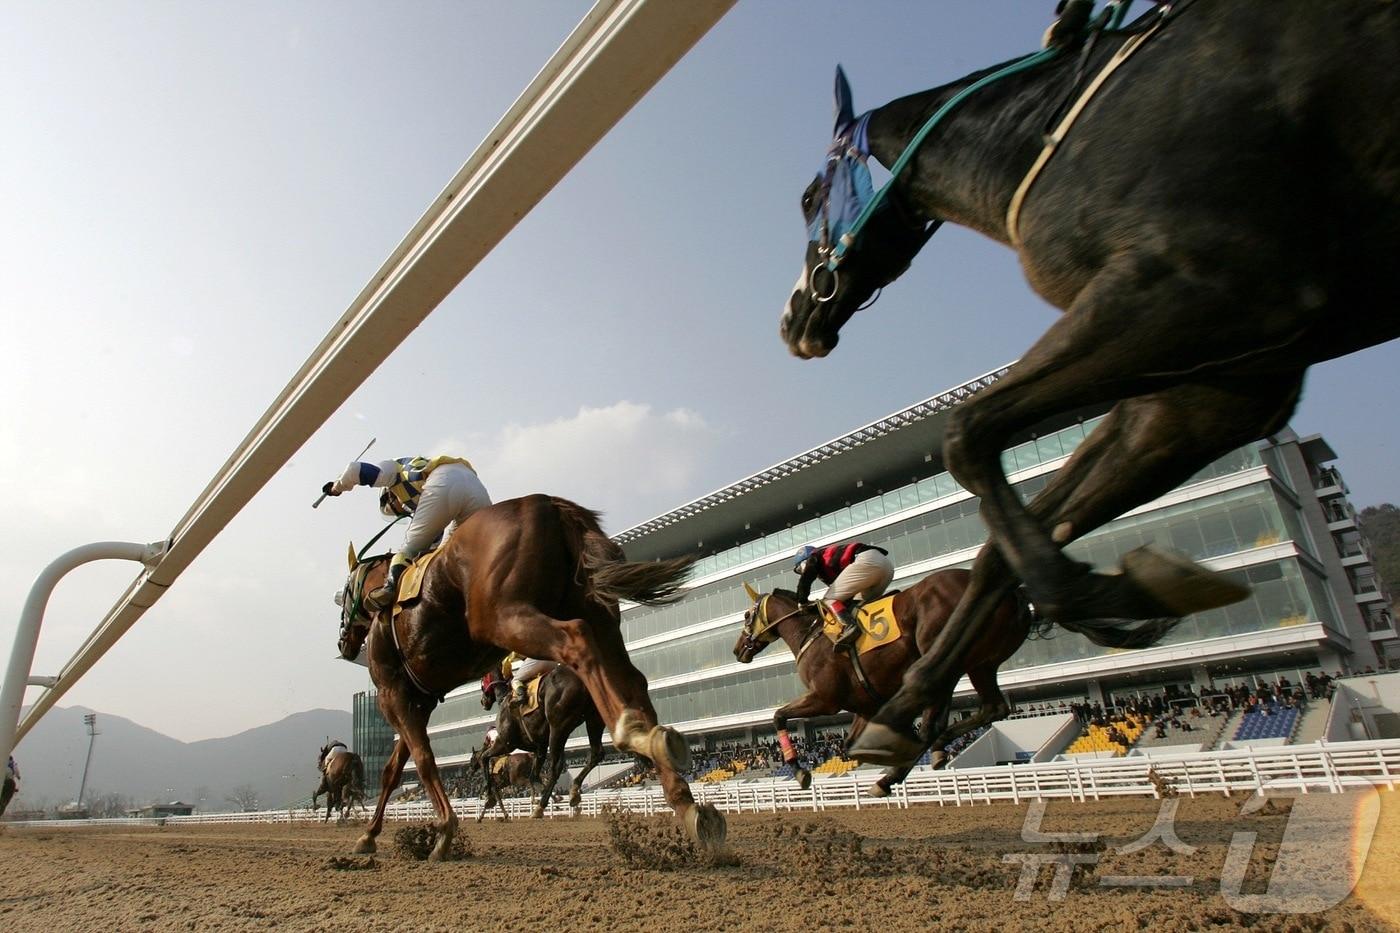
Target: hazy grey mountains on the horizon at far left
[[135, 763]]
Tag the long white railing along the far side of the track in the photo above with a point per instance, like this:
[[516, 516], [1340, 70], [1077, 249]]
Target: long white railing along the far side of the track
[[1322, 767]]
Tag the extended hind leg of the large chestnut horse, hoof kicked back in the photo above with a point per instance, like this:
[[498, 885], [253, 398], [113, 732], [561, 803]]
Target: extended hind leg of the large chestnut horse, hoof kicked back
[[619, 690]]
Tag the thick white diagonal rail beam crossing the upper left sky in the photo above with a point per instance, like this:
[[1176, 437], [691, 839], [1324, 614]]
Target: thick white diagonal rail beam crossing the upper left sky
[[619, 51]]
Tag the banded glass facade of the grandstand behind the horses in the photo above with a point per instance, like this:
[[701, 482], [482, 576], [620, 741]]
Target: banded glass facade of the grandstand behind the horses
[[934, 520]]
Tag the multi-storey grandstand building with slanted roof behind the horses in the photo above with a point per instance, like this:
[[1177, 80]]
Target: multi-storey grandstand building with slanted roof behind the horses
[[1273, 513]]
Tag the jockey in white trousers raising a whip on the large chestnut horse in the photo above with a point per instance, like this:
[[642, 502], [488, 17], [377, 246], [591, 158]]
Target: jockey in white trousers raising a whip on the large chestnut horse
[[439, 492]]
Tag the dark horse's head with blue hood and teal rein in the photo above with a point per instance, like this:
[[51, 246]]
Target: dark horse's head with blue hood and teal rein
[[857, 242]]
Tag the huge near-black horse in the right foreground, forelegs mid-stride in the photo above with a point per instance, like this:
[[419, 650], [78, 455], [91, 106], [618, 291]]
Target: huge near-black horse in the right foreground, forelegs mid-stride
[[1224, 214]]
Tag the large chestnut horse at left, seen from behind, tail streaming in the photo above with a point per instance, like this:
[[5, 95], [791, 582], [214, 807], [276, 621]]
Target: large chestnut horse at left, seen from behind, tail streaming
[[535, 576]]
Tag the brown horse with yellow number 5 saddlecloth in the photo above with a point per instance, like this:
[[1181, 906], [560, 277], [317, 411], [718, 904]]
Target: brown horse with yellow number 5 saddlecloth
[[923, 610]]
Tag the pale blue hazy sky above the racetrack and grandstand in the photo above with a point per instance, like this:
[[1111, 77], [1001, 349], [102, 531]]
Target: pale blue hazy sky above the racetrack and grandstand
[[191, 195]]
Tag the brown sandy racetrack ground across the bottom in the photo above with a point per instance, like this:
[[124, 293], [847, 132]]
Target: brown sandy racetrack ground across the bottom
[[930, 868]]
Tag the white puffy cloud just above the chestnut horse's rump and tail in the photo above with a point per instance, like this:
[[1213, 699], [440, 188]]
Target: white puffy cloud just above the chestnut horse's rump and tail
[[626, 460]]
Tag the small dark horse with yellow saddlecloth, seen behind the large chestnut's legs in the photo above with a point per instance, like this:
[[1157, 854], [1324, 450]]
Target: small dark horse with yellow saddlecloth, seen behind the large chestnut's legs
[[563, 705]]
